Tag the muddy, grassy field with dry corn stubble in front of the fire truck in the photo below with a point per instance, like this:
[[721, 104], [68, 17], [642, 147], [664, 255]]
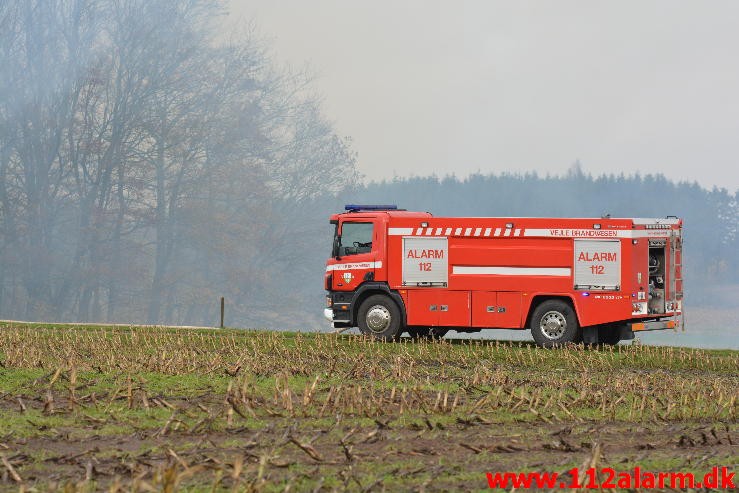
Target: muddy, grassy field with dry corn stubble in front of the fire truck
[[270, 409]]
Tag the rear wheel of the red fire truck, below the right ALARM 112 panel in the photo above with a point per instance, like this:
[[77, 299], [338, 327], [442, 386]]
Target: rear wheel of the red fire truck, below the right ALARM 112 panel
[[554, 323]]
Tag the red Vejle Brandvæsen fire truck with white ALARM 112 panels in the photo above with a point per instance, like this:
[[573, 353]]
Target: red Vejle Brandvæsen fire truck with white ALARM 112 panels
[[565, 279]]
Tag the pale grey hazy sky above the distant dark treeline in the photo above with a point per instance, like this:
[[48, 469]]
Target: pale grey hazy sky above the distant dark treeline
[[462, 86]]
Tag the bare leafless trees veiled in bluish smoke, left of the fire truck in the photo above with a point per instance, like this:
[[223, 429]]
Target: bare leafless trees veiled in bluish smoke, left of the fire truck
[[144, 162]]
